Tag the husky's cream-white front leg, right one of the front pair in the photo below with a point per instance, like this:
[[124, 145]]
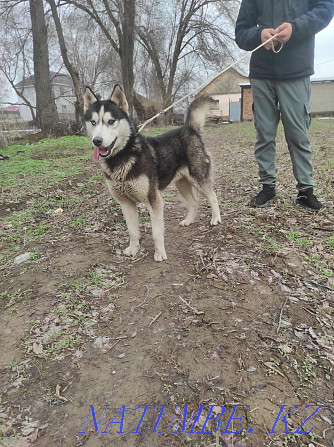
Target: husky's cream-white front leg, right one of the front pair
[[156, 211]]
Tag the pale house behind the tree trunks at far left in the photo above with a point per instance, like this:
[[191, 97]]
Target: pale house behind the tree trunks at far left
[[63, 92]]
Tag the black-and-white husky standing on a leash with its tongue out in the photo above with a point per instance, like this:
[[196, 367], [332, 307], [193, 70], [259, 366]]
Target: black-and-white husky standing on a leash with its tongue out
[[137, 168]]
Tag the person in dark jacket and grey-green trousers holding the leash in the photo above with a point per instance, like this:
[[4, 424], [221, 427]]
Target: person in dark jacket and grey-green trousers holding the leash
[[280, 80]]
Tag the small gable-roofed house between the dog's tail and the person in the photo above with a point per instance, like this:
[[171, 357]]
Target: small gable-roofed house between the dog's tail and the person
[[226, 90]]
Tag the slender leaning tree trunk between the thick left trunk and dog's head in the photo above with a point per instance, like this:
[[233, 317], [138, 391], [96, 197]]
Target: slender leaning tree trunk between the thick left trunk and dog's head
[[79, 106]]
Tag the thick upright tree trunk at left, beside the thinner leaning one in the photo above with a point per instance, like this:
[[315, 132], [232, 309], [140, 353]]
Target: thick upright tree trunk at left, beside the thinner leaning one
[[47, 115]]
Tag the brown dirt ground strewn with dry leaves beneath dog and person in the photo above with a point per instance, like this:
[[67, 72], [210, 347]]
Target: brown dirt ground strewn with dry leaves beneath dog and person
[[213, 347]]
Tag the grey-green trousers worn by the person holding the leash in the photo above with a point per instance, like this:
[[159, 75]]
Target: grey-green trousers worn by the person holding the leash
[[288, 99]]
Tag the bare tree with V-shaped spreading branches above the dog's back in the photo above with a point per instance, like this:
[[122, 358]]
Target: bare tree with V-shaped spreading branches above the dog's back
[[189, 32]]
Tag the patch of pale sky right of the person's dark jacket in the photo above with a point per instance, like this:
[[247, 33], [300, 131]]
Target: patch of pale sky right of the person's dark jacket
[[324, 53]]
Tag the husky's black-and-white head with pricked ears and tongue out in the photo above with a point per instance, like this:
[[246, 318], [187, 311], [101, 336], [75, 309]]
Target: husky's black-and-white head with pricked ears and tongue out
[[107, 122]]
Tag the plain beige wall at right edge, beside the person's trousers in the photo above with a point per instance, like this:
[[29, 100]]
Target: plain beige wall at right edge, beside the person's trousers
[[322, 98]]
